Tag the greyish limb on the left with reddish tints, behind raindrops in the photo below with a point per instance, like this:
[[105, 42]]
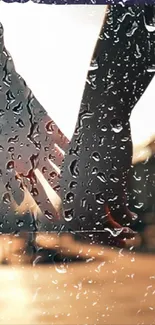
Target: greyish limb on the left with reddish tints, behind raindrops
[[29, 142]]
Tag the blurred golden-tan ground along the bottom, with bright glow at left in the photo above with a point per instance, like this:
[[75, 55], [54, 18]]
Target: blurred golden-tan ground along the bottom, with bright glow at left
[[105, 287]]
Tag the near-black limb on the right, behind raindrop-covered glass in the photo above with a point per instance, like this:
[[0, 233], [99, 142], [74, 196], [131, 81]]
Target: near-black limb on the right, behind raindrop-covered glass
[[95, 170]]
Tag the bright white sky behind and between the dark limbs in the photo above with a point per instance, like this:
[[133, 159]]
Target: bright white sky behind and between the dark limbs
[[52, 47]]
